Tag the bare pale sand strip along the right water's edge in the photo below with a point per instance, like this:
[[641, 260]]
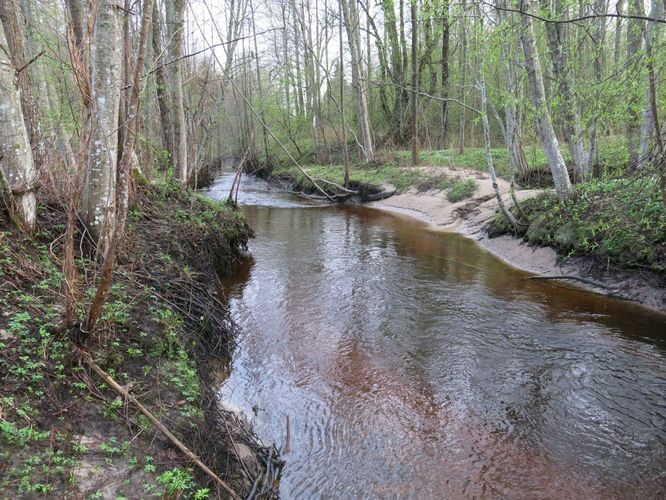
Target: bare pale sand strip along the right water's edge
[[470, 217]]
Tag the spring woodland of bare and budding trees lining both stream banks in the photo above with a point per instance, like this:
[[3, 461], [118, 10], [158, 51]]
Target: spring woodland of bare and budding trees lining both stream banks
[[113, 113]]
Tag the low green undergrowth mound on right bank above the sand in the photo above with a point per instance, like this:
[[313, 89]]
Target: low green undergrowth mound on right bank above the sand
[[622, 221]]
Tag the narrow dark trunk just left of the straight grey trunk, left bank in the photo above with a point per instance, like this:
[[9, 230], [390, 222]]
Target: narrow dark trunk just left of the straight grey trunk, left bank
[[162, 83]]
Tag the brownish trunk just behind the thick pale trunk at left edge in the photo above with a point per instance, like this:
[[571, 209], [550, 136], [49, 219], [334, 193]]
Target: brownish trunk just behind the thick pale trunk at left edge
[[13, 20]]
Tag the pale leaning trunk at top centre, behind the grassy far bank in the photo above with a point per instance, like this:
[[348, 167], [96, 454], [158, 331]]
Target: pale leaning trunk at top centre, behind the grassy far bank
[[350, 12]]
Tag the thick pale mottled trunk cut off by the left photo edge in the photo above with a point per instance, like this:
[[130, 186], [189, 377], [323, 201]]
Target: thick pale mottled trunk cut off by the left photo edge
[[17, 167]]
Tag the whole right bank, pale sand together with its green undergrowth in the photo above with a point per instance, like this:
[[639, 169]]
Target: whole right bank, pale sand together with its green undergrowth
[[612, 234]]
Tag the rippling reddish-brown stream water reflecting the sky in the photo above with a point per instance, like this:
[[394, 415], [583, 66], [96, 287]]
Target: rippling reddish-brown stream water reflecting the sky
[[413, 364]]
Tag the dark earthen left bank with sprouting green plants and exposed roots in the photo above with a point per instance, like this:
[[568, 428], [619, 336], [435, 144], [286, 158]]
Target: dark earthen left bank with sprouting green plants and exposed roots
[[64, 433]]
